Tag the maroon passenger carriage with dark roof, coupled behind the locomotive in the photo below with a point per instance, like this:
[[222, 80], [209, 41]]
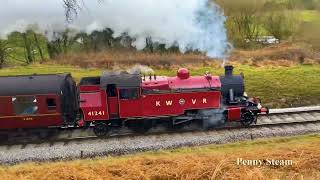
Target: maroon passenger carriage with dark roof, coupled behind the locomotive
[[38, 101]]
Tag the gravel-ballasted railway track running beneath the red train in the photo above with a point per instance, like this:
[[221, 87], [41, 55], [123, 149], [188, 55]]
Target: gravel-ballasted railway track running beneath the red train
[[82, 143]]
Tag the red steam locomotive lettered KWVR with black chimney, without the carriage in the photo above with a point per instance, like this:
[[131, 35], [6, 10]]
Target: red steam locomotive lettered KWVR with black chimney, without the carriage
[[117, 99]]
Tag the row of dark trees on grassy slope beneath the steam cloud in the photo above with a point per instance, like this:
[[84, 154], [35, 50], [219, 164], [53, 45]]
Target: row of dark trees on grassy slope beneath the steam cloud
[[30, 46]]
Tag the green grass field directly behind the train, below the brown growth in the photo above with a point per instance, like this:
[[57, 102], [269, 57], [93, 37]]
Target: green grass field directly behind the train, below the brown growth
[[297, 85]]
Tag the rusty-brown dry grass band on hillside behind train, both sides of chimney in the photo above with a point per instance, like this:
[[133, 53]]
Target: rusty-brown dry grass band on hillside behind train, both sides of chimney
[[285, 54]]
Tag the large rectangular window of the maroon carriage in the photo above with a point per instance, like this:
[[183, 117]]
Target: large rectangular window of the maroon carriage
[[25, 105]]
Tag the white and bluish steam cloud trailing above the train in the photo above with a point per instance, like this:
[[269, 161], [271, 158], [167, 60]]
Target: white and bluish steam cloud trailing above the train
[[192, 24]]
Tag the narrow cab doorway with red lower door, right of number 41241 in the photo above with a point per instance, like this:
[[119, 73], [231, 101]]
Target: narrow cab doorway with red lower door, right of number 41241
[[113, 101]]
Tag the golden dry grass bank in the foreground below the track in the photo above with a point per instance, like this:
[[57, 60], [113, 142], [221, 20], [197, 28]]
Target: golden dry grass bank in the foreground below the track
[[208, 162]]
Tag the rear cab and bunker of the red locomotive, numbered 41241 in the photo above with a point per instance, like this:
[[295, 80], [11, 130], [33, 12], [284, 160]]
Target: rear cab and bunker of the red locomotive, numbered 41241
[[110, 96]]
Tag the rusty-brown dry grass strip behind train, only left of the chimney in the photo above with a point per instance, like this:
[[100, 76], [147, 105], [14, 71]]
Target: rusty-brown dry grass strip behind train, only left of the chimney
[[129, 58]]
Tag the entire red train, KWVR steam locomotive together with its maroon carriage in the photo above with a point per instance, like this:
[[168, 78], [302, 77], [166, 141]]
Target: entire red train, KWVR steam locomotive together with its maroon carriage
[[118, 99]]
